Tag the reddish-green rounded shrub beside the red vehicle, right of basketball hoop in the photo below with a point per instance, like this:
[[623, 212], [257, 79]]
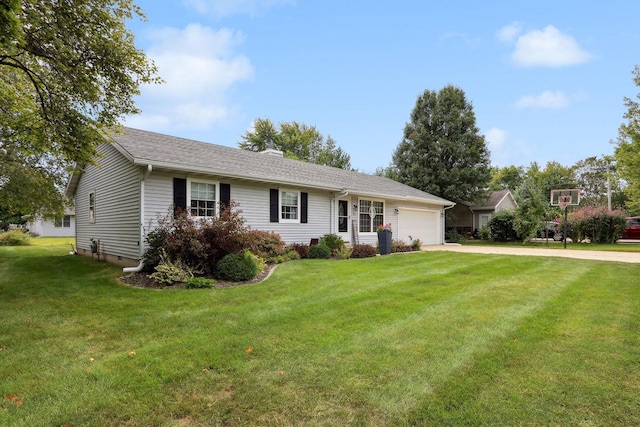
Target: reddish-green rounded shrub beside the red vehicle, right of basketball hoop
[[597, 224]]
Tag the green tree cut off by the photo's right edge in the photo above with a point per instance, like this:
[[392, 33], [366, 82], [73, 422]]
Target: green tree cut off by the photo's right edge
[[627, 152]]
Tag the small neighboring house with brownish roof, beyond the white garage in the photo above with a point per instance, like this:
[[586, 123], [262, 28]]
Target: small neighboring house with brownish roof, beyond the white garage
[[468, 217]]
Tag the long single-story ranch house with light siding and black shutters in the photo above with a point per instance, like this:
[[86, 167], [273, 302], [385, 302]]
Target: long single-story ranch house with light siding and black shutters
[[142, 176]]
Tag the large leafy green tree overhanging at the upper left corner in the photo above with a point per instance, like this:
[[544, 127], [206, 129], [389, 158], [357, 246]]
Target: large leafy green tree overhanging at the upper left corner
[[68, 73]]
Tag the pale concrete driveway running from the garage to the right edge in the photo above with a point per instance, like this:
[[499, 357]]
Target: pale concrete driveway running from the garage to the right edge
[[631, 257]]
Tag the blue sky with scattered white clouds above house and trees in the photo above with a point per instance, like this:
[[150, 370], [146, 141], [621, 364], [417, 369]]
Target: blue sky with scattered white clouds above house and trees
[[546, 78]]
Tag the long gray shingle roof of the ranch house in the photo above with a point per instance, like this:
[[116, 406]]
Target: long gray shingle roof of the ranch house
[[169, 152]]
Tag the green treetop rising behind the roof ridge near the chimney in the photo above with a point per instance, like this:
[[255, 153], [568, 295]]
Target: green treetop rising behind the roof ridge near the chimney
[[297, 141]]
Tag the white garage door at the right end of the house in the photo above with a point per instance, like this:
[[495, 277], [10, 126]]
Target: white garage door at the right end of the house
[[419, 224]]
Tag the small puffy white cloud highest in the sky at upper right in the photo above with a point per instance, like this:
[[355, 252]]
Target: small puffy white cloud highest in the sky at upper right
[[546, 48]]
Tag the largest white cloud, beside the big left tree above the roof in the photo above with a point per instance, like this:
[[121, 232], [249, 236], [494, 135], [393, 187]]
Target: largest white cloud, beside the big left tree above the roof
[[199, 66]]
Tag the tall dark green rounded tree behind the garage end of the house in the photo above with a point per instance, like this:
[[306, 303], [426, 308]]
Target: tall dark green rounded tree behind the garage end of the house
[[442, 151]]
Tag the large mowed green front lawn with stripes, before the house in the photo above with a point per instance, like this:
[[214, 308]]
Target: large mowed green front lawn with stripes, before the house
[[432, 338]]
